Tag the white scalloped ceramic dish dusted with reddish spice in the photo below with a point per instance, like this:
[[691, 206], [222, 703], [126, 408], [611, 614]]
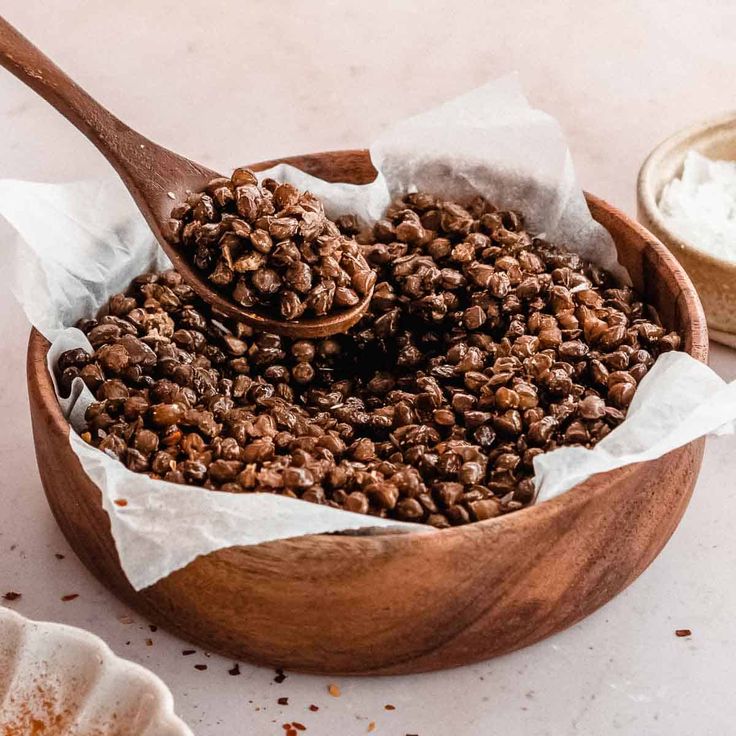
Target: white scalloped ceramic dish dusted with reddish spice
[[60, 681]]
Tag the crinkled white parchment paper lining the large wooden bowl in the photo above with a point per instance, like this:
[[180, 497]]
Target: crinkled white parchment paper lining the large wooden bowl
[[80, 243]]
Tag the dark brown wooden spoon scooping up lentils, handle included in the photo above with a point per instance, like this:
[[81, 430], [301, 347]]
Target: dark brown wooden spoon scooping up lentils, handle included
[[155, 177]]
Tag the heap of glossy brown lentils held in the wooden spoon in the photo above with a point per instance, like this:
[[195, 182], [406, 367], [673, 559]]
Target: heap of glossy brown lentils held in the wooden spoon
[[270, 246]]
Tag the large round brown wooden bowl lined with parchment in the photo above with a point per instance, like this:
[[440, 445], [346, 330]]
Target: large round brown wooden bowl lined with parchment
[[400, 603]]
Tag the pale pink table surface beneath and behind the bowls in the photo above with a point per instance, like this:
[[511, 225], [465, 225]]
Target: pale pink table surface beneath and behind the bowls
[[230, 82]]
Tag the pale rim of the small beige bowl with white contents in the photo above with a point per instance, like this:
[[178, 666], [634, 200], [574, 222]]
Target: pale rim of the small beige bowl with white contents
[[645, 186]]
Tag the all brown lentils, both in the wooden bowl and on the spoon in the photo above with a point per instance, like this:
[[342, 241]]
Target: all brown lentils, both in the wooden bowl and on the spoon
[[482, 348]]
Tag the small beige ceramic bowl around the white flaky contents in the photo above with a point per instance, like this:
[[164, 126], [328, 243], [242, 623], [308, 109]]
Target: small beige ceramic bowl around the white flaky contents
[[714, 278]]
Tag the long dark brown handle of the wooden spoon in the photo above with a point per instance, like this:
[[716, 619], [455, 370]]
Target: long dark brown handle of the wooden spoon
[[147, 169]]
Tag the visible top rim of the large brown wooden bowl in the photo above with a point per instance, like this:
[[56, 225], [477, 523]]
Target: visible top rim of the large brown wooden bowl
[[508, 523]]
